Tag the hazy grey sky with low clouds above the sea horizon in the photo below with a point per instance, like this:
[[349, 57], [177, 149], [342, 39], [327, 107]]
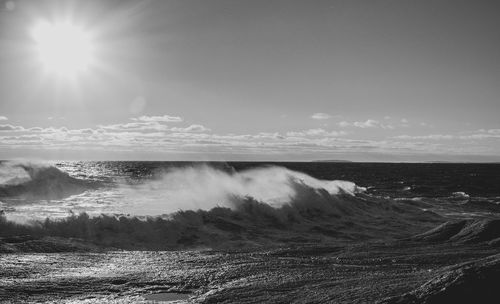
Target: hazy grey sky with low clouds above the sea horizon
[[373, 80]]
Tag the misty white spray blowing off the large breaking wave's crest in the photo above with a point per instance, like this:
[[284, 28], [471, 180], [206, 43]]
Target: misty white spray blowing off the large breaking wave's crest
[[204, 187]]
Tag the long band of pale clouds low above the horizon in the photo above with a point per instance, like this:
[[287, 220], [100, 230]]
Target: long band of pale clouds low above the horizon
[[154, 136]]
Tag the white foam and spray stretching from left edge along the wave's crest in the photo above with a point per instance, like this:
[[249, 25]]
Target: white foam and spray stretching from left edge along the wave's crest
[[187, 188]]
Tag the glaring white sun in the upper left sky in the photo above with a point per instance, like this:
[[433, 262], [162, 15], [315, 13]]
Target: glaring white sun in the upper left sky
[[63, 48]]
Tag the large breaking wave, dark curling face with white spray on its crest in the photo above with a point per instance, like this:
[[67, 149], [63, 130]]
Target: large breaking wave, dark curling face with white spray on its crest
[[202, 206]]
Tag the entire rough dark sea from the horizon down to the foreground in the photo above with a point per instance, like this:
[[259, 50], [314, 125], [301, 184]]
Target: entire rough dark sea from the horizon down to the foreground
[[247, 232]]
